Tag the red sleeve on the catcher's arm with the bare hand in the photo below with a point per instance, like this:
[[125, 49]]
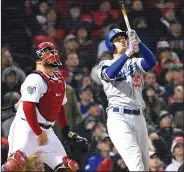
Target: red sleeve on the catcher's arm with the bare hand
[[29, 109]]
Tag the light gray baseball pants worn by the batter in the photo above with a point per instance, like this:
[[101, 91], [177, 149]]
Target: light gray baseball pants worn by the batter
[[129, 135]]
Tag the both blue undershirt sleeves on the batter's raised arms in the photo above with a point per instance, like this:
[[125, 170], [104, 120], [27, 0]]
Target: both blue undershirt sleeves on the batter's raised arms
[[147, 63]]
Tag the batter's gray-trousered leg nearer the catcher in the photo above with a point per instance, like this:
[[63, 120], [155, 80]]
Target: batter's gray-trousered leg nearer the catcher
[[123, 137]]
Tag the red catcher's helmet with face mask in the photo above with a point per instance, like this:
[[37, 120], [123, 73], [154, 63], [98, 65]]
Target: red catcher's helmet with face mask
[[47, 52]]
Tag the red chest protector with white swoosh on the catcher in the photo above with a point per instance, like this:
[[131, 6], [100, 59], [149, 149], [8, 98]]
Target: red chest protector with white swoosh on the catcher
[[50, 104]]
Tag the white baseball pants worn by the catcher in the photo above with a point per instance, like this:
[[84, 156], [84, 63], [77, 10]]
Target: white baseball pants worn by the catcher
[[22, 138]]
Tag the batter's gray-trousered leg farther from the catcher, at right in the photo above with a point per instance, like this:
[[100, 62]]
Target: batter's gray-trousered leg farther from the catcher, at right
[[143, 141]]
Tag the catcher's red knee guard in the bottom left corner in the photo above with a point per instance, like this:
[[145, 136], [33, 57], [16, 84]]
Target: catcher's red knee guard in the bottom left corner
[[16, 162]]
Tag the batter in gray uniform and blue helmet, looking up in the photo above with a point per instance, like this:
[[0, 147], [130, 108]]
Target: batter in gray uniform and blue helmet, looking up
[[122, 80]]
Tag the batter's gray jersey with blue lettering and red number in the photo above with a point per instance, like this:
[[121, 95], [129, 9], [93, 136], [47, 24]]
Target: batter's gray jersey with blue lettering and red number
[[126, 88]]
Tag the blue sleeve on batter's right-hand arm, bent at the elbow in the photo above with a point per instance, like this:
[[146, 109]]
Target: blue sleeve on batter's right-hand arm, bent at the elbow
[[148, 61]]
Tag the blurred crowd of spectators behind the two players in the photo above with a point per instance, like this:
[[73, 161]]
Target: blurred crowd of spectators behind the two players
[[77, 28]]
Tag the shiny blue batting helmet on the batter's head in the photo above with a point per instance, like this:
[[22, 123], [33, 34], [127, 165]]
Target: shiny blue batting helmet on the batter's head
[[110, 36]]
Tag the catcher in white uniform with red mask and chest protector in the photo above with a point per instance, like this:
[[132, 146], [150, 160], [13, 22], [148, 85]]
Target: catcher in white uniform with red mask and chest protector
[[43, 96]]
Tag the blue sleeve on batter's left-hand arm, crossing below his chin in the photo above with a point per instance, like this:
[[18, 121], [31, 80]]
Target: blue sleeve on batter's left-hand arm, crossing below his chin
[[116, 67]]
